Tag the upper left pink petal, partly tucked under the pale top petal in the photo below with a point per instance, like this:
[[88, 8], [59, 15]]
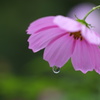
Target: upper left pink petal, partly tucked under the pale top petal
[[41, 23]]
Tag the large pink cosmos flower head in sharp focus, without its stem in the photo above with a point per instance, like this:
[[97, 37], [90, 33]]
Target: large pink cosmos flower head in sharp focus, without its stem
[[64, 38]]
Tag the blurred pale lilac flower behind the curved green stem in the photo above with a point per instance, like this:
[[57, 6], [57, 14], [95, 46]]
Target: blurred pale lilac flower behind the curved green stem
[[81, 9]]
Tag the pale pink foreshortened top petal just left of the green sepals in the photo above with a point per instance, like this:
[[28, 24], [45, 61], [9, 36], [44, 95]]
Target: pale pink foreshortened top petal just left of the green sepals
[[67, 23]]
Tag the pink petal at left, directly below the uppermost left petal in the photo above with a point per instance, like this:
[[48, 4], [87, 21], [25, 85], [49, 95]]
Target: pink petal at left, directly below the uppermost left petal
[[41, 39]]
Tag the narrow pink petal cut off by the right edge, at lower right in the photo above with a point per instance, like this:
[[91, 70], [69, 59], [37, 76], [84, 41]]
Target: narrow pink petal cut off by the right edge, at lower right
[[97, 59]]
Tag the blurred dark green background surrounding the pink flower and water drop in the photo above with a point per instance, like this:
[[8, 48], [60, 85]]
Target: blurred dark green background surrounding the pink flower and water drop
[[24, 75]]
